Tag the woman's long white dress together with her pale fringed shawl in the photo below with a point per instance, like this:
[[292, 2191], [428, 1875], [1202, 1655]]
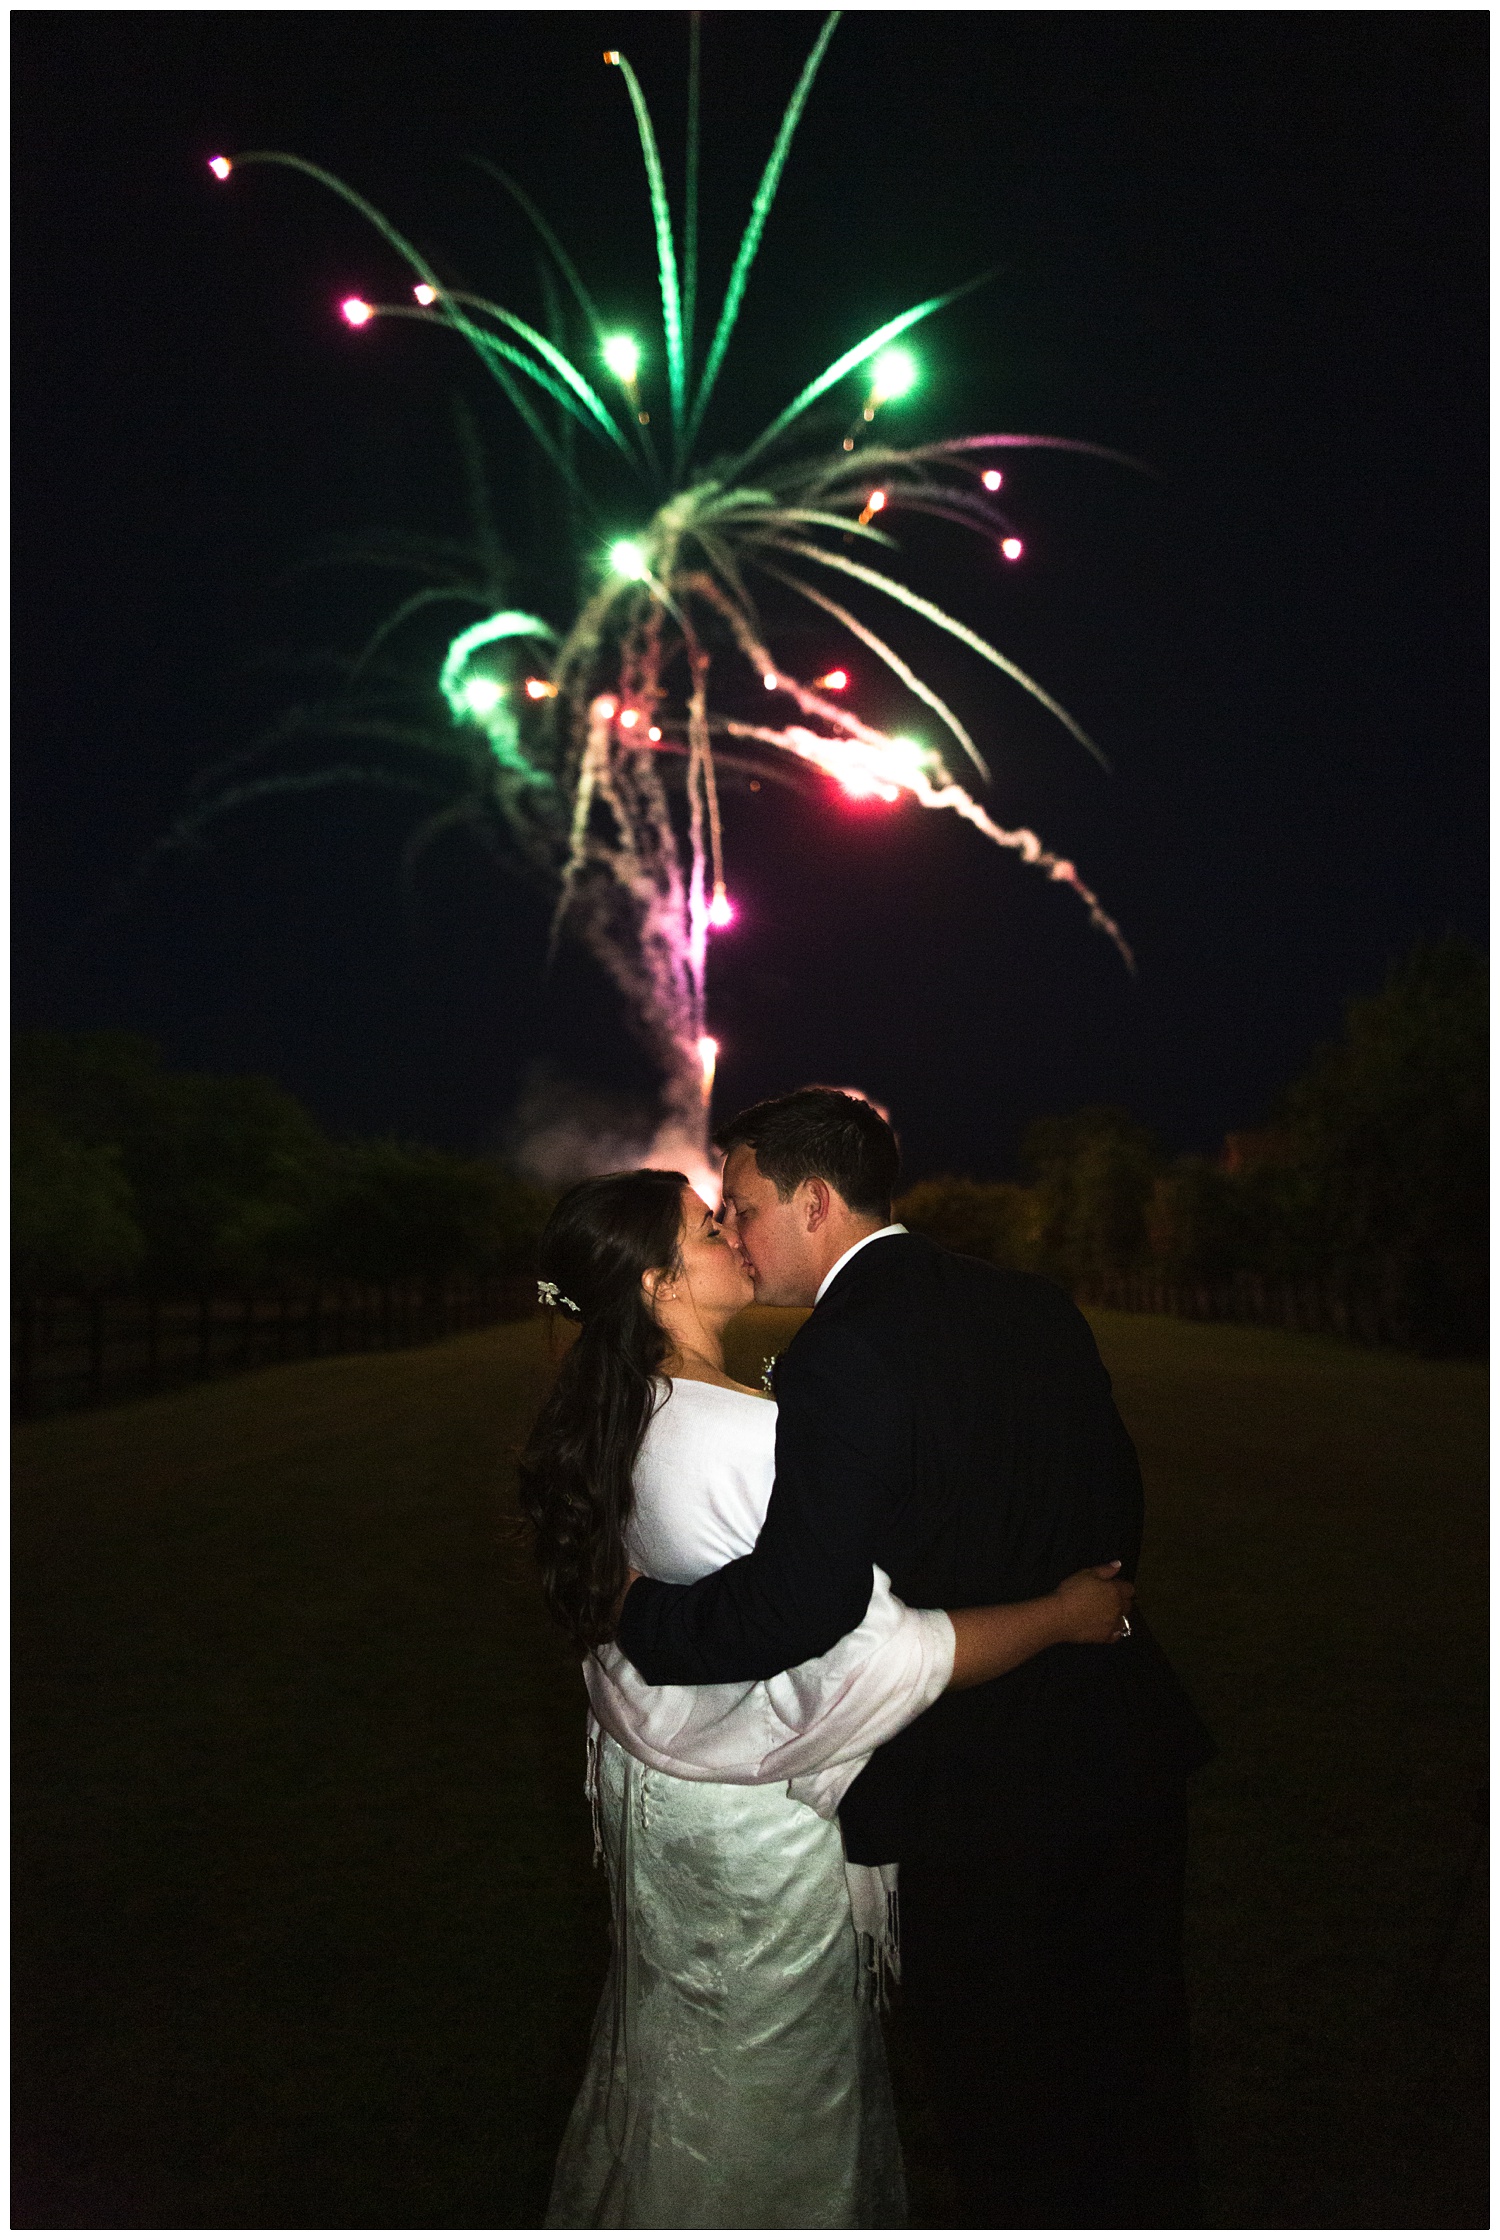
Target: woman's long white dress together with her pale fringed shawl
[[738, 2075]]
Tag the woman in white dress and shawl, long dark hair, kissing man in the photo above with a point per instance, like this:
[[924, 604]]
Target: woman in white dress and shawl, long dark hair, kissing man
[[735, 2073]]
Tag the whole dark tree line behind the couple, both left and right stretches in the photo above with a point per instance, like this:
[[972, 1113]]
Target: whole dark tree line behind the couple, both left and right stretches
[[1367, 1182]]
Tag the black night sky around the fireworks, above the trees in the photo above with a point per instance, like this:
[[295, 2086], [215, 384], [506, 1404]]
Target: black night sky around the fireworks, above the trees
[[1244, 248]]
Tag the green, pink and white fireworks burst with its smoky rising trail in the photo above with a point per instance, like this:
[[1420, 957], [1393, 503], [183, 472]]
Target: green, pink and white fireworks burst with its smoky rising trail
[[592, 729]]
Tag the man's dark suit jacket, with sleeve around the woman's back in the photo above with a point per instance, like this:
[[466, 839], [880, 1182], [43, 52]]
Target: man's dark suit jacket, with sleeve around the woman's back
[[953, 1424]]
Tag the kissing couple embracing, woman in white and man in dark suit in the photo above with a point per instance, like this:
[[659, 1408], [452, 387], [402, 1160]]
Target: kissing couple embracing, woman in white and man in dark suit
[[859, 1654]]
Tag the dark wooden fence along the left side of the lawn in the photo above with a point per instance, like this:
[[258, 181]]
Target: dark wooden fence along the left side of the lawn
[[91, 1352]]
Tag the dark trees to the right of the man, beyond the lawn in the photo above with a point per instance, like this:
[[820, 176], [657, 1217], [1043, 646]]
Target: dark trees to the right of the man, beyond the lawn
[[1369, 1179]]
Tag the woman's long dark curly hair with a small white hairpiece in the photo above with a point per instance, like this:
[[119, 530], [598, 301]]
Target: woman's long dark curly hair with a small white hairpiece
[[576, 1466]]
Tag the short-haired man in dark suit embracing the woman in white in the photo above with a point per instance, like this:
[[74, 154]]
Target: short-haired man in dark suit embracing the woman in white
[[953, 1424]]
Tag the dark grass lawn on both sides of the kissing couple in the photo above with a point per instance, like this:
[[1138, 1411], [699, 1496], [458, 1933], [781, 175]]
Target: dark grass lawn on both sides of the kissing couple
[[306, 1923]]
